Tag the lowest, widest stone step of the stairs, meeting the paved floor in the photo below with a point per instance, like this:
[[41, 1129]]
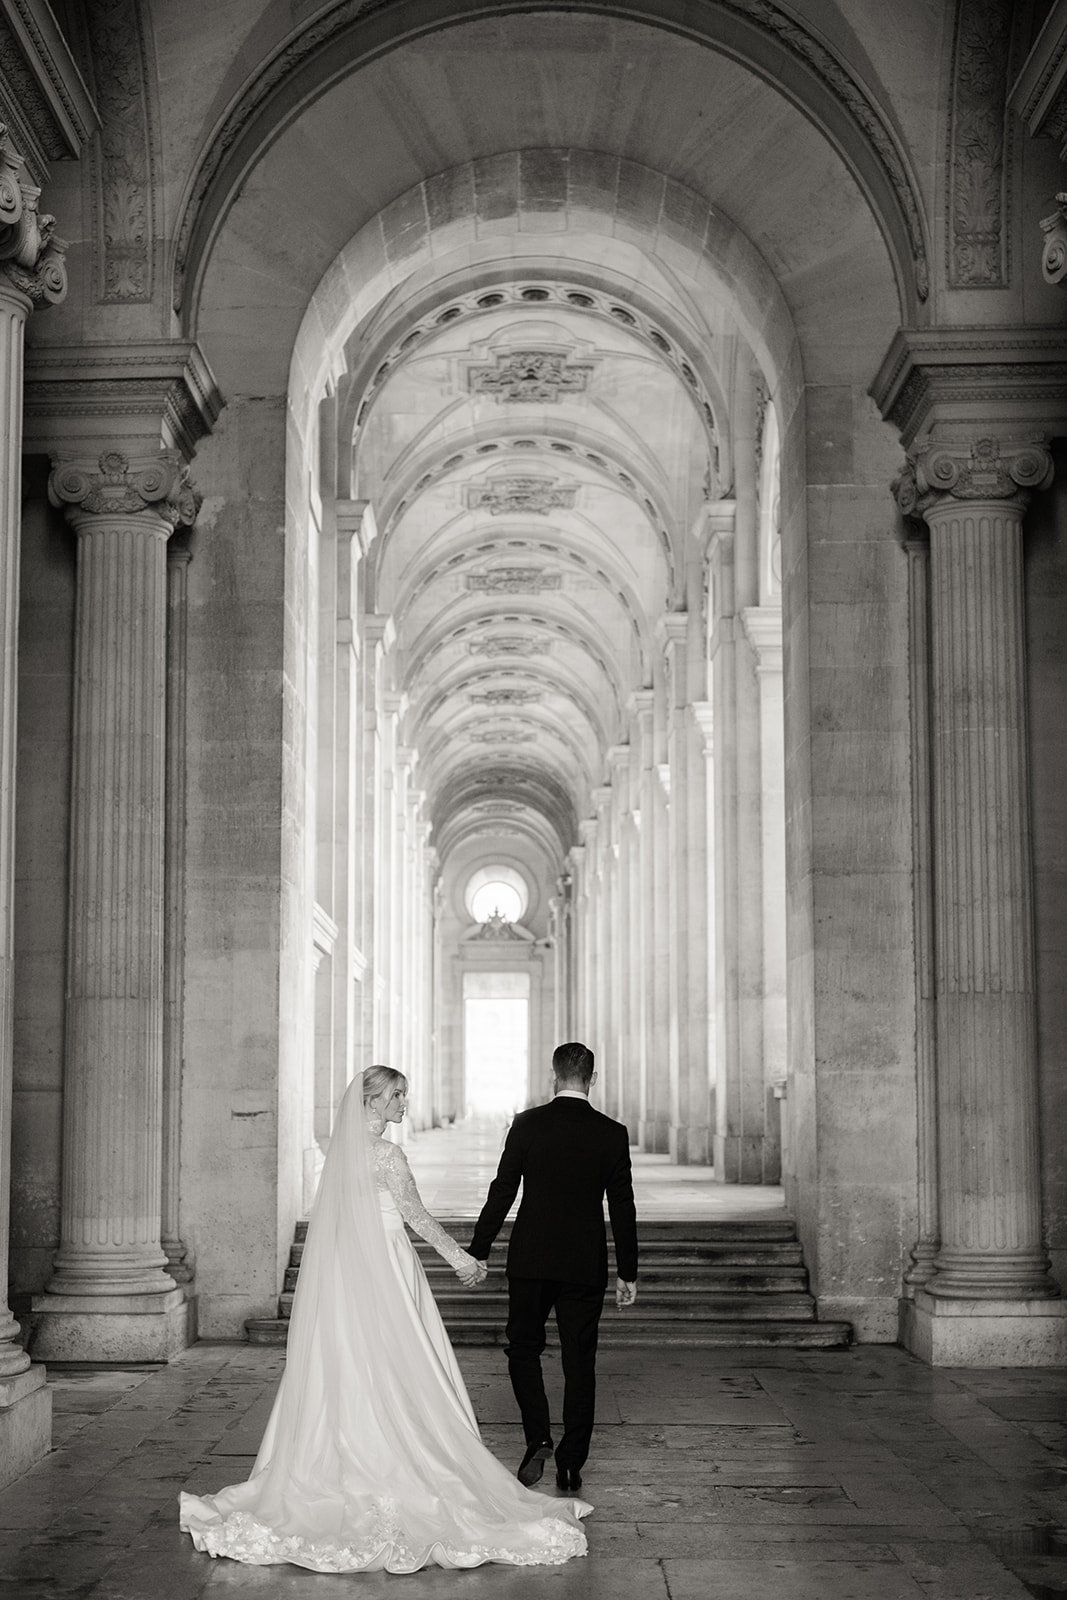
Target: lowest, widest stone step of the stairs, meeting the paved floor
[[636, 1334]]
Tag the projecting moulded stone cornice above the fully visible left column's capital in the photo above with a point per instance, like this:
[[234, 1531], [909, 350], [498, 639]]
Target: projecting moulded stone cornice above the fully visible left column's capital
[[161, 388]]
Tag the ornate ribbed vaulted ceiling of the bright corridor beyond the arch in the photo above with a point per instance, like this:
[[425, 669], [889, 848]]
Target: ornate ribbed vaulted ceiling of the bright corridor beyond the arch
[[537, 454]]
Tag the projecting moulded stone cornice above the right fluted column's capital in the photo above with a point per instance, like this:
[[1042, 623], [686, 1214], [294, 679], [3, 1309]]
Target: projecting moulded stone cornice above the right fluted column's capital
[[973, 377]]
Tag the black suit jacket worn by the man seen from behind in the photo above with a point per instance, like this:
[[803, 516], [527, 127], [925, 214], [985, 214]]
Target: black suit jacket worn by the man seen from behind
[[567, 1158]]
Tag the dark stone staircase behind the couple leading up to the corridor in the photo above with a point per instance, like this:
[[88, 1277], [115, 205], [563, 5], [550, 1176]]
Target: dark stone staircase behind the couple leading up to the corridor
[[701, 1284]]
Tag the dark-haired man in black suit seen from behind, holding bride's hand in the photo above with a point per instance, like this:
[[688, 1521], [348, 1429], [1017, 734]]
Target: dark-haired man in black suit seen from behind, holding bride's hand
[[567, 1158]]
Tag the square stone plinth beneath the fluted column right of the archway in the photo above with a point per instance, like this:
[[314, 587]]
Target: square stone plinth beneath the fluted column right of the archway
[[985, 1334]]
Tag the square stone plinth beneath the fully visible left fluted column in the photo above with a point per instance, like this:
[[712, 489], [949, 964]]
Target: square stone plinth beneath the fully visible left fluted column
[[113, 1327]]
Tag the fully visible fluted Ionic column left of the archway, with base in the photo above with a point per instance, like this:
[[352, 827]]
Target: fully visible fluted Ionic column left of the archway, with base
[[111, 1297]]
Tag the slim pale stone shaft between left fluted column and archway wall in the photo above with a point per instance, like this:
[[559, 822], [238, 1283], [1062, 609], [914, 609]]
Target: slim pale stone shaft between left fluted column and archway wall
[[178, 558]]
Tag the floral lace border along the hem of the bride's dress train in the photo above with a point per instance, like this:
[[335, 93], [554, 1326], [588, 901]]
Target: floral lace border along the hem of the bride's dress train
[[385, 1546]]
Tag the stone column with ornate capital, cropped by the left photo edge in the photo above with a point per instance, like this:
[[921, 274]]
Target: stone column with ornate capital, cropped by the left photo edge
[[31, 274]]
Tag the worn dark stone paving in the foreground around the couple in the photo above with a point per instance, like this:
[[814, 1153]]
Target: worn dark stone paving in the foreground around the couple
[[716, 1476]]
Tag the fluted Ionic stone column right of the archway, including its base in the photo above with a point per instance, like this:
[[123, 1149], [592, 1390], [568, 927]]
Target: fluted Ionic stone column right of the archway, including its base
[[991, 1297]]
